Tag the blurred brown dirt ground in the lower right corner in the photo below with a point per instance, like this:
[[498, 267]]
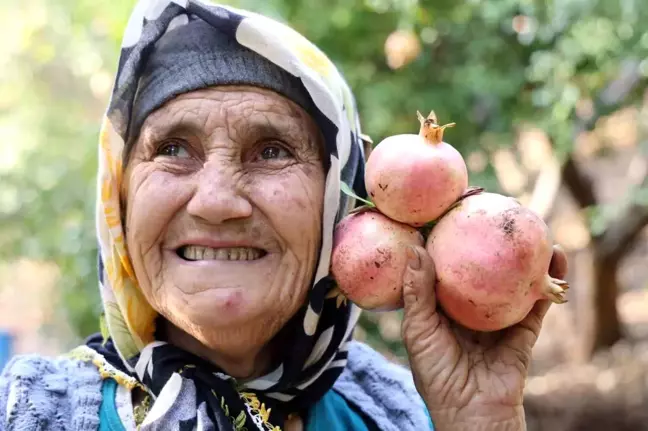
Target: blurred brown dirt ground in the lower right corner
[[610, 393]]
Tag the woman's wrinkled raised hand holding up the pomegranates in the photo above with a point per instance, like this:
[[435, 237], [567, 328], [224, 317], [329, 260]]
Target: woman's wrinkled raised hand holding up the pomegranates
[[469, 380]]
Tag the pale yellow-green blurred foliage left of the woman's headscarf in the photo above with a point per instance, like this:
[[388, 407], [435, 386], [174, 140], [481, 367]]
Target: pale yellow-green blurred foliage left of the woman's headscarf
[[58, 57]]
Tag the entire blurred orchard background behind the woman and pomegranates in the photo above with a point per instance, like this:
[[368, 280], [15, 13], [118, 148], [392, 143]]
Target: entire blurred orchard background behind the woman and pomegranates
[[551, 102]]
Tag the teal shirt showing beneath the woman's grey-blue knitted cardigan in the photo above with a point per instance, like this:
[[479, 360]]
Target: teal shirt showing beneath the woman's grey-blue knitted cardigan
[[331, 412]]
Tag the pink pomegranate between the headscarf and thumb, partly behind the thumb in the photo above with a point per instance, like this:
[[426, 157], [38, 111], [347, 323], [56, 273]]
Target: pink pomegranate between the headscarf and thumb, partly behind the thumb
[[369, 258]]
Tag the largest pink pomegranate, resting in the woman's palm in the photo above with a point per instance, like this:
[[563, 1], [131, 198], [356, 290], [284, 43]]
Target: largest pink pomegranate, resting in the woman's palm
[[492, 258]]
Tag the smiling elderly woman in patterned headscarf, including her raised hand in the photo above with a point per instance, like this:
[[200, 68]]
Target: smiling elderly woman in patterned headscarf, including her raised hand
[[221, 158]]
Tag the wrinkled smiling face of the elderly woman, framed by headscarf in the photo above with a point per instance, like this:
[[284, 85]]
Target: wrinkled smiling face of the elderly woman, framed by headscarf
[[224, 193]]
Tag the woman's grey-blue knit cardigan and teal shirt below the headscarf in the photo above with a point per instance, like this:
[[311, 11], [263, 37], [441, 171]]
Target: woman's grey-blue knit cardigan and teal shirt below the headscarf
[[60, 394]]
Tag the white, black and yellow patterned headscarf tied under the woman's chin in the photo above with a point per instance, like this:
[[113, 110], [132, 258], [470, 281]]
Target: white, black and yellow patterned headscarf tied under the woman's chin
[[188, 391]]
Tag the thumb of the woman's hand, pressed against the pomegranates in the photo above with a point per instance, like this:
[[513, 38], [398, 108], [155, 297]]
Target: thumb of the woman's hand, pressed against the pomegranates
[[419, 299]]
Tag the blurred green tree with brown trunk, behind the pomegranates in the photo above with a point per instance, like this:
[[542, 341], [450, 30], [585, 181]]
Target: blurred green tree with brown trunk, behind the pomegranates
[[496, 68]]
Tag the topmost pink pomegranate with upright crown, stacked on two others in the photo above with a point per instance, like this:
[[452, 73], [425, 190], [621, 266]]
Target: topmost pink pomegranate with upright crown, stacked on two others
[[414, 179]]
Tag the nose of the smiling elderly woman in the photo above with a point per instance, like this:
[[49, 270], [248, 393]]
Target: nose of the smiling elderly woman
[[217, 197]]
